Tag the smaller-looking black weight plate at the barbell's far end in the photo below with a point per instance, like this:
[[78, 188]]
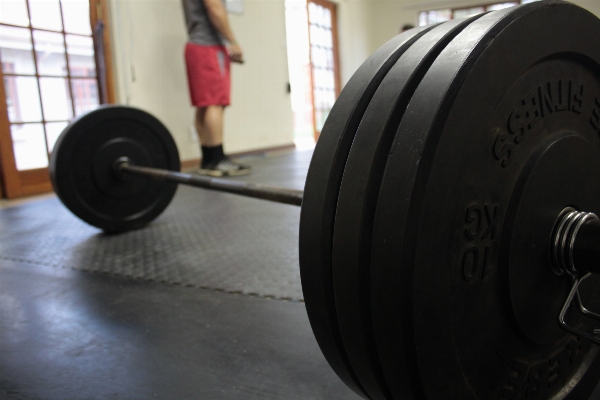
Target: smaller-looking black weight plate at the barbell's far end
[[83, 167]]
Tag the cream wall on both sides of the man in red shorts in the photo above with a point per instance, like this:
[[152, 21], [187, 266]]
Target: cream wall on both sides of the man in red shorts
[[148, 38]]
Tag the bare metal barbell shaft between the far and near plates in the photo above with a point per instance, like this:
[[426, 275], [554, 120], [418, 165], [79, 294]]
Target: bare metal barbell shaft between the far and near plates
[[264, 192]]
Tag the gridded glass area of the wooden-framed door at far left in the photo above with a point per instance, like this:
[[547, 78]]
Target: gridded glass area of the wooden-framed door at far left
[[49, 75]]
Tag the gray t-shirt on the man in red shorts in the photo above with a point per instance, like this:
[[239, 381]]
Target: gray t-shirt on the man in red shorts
[[200, 29]]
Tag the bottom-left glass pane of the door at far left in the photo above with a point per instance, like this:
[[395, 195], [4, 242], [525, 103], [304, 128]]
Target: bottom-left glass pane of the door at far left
[[29, 146]]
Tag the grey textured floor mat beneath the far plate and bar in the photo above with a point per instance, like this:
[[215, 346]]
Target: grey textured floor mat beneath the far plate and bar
[[205, 239]]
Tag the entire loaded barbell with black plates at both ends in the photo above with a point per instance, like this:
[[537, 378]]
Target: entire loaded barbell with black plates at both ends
[[448, 221]]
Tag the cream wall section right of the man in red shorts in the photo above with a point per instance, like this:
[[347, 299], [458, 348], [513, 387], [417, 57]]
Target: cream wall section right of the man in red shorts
[[261, 112]]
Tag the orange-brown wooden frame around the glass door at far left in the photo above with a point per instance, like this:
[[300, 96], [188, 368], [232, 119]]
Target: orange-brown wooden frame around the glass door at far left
[[15, 183]]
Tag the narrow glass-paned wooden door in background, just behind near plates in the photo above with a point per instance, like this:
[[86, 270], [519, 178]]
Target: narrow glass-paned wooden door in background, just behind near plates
[[324, 59]]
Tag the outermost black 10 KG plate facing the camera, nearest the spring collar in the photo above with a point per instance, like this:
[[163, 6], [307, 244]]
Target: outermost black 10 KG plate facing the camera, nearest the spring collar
[[500, 136]]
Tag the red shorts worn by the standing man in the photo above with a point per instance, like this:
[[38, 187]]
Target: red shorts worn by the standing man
[[208, 75]]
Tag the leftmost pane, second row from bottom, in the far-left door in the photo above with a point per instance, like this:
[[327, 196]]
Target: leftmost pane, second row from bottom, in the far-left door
[[22, 99]]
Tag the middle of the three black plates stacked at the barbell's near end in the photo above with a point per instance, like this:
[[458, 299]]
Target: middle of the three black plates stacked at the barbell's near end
[[357, 201]]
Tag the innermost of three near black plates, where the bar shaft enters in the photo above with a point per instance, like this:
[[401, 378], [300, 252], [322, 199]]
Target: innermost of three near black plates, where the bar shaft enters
[[320, 198]]
